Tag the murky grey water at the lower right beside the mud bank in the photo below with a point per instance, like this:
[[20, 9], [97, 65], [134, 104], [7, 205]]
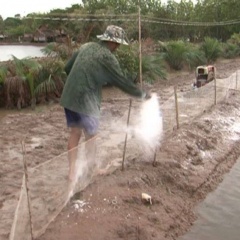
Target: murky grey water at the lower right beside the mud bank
[[219, 214]]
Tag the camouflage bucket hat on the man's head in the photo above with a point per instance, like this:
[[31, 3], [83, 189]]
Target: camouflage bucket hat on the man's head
[[114, 34]]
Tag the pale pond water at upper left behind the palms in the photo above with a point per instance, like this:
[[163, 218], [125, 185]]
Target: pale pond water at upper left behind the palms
[[19, 51]]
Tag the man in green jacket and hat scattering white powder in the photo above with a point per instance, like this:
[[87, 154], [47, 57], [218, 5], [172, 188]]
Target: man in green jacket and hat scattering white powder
[[88, 70]]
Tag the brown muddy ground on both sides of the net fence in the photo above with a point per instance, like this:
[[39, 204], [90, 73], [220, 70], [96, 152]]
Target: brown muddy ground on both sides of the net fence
[[190, 163]]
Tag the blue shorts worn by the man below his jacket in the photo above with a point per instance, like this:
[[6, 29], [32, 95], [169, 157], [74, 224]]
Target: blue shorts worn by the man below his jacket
[[88, 123]]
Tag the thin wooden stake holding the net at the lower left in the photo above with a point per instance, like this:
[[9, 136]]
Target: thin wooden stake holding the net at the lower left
[[27, 189]]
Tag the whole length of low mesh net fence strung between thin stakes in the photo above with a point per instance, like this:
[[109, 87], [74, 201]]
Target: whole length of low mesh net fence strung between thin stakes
[[48, 188]]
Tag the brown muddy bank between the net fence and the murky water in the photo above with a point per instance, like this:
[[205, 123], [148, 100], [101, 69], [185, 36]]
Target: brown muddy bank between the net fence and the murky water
[[191, 163]]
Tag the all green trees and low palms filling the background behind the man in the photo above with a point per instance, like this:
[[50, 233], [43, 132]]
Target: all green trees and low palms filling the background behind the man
[[175, 36]]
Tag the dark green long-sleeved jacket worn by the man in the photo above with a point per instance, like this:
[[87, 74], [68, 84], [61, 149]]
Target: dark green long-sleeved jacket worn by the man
[[88, 70]]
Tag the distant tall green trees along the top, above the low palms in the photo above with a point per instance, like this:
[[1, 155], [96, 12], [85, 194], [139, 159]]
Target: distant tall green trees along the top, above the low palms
[[171, 21]]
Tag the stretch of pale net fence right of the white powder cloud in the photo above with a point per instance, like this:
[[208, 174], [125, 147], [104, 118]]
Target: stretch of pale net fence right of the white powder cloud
[[196, 101]]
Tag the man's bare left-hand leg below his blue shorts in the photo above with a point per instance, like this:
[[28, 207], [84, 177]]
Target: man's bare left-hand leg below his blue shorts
[[74, 138]]
